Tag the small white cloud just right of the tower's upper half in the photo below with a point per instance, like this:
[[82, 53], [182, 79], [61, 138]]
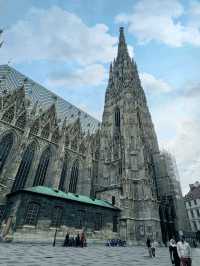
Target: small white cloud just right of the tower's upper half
[[151, 84]]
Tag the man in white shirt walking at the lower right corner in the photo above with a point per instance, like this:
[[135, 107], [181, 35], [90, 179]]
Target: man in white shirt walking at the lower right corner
[[184, 252]]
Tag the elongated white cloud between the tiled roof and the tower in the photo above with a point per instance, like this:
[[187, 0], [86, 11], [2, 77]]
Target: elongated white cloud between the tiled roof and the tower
[[90, 75]]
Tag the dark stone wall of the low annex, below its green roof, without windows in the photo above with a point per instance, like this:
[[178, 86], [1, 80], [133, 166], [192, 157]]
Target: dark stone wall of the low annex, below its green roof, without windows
[[71, 216]]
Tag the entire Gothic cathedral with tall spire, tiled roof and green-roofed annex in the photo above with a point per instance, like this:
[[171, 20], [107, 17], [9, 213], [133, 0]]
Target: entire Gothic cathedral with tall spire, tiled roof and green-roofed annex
[[62, 169]]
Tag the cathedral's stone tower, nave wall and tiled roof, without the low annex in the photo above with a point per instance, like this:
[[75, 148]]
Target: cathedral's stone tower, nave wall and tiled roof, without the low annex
[[46, 141]]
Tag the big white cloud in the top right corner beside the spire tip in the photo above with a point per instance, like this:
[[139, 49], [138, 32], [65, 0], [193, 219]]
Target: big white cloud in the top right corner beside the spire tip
[[161, 21]]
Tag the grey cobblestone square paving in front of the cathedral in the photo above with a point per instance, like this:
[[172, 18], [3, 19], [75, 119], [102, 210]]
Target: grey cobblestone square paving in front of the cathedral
[[35, 255]]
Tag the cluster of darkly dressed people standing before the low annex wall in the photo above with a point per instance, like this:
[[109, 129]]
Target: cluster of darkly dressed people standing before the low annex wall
[[78, 241]]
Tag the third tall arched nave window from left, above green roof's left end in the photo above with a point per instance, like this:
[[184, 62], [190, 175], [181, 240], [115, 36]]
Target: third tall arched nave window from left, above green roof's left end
[[42, 168]]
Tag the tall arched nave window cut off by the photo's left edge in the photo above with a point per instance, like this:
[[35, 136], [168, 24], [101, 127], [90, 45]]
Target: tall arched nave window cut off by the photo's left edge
[[5, 147]]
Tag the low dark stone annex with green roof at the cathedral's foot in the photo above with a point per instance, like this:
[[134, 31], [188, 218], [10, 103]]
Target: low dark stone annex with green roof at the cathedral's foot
[[34, 217]]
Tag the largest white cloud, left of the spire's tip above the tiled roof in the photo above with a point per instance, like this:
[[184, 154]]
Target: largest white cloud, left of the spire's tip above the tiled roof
[[55, 34]]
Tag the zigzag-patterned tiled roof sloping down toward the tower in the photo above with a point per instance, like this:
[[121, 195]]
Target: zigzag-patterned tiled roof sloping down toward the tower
[[11, 79]]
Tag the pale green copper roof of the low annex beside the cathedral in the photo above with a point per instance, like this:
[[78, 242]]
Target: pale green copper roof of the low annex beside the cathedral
[[69, 196]]
